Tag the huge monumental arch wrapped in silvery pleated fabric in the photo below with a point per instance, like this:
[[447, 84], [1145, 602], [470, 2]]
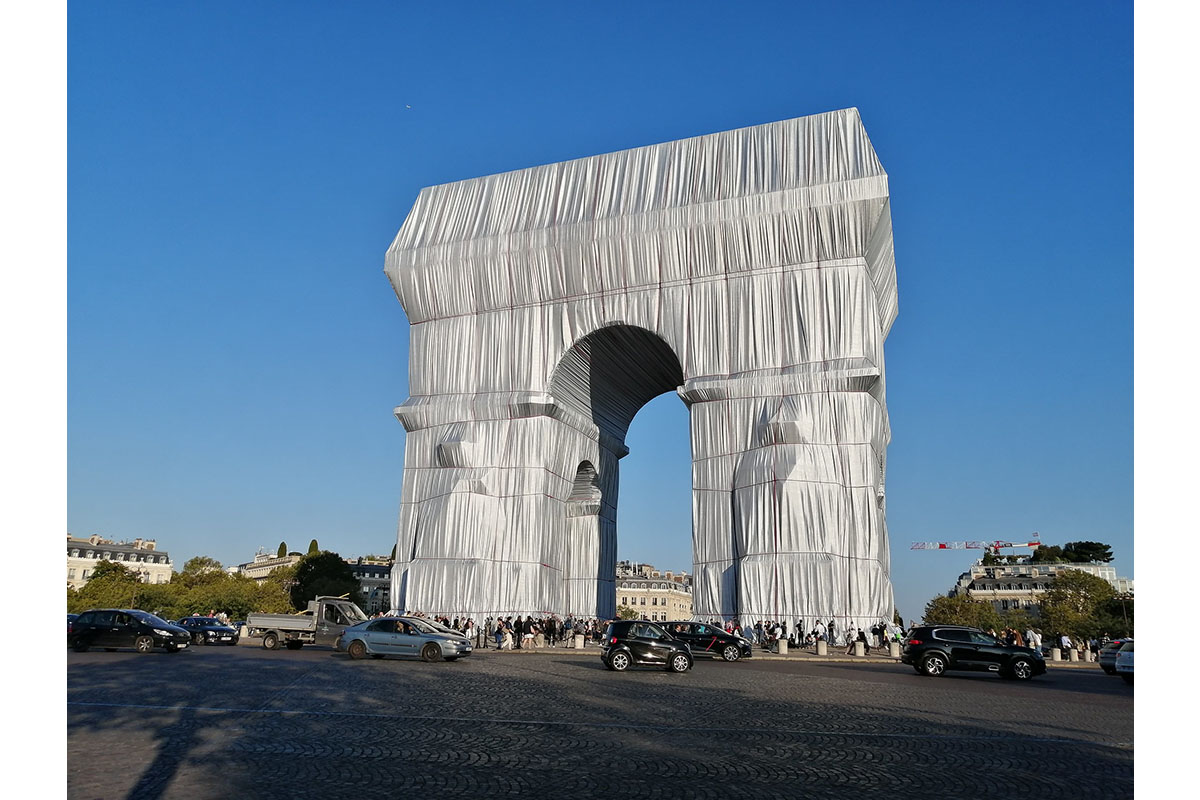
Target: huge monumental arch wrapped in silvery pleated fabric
[[753, 273]]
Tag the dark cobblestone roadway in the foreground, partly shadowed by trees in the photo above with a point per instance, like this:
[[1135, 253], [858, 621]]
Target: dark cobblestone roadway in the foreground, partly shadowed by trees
[[245, 723]]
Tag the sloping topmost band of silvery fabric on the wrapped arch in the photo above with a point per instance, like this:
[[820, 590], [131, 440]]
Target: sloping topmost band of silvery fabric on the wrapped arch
[[805, 152]]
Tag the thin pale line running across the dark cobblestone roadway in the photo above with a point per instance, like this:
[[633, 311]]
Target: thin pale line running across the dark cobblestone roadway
[[799, 732]]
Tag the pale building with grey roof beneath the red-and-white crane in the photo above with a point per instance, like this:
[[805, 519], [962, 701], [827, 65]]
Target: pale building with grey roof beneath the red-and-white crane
[[1022, 585]]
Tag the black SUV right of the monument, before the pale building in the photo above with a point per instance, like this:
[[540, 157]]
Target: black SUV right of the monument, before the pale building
[[934, 649]]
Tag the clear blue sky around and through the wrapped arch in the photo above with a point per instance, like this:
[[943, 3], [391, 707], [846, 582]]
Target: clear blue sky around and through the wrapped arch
[[237, 172]]
